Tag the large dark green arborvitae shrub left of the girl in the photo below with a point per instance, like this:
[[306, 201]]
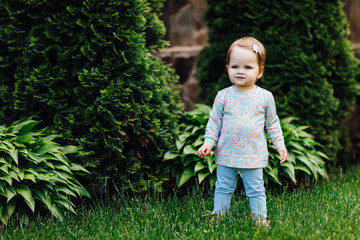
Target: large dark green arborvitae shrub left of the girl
[[86, 70]]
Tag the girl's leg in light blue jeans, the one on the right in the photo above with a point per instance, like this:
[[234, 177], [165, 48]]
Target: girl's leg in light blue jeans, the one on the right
[[255, 190]]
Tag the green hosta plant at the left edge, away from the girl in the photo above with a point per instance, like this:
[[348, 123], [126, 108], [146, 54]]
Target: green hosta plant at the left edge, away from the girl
[[35, 172]]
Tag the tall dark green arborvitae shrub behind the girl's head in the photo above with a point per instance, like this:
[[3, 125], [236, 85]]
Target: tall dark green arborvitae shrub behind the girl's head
[[310, 66]]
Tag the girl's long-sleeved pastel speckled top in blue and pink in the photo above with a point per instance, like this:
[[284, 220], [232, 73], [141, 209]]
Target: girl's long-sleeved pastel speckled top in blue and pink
[[238, 124]]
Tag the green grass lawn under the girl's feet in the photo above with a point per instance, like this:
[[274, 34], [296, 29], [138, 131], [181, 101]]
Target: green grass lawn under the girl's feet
[[328, 210]]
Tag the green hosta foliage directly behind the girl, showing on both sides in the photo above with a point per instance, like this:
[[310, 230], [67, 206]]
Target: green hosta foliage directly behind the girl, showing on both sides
[[304, 160]]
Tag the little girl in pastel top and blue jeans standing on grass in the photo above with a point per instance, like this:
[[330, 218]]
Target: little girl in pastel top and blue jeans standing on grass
[[238, 120]]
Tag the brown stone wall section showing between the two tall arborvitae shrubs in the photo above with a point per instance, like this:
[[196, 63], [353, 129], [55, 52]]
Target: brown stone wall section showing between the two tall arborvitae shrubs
[[187, 33]]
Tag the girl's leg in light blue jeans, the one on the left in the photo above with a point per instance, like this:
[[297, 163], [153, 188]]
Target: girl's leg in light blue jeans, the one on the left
[[224, 188]]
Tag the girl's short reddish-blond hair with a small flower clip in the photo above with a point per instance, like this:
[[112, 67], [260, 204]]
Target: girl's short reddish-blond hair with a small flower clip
[[248, 42]]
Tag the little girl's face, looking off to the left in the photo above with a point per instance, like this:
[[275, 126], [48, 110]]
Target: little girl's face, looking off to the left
[[243, 69]]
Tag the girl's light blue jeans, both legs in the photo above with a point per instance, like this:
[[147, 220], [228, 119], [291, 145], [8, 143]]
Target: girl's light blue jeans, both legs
[[254, 189]]
